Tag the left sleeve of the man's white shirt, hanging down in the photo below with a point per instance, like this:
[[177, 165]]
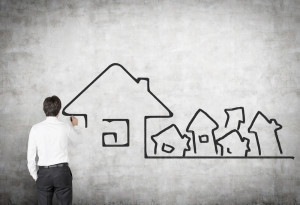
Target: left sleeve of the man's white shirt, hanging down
[[31, 154]]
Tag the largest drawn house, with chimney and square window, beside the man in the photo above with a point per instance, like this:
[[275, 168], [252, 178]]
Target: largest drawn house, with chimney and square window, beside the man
[[120, 101]]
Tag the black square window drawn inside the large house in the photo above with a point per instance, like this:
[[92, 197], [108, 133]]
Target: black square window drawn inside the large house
[[115, 135]]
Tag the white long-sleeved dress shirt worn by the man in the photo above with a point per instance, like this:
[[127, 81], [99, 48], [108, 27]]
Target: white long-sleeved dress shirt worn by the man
[[49, 140]]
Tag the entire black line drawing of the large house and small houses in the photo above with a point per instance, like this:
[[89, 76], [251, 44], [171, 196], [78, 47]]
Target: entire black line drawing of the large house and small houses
[[124, 97]]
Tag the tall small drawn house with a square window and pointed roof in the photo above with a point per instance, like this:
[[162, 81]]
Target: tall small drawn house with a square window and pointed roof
[[196, 128]]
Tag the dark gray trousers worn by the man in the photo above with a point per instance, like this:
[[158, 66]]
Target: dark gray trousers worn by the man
[[56, 180]]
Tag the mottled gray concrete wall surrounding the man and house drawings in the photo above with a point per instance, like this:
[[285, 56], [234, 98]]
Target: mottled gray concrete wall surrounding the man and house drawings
[[198, 54]]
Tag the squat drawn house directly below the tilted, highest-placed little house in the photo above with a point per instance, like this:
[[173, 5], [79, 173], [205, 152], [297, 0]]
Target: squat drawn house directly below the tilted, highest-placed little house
[[234, 137]]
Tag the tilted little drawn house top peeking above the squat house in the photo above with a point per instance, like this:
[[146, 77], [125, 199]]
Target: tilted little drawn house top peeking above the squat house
[[238, 120]]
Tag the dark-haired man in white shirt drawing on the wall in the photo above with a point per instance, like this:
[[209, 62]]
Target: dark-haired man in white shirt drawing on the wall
[[49, 140]]
